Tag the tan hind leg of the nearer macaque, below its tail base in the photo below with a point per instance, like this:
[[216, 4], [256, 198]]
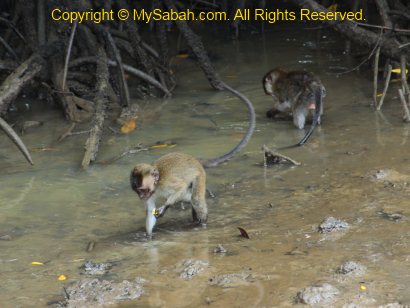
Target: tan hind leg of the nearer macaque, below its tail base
[[199, 206]]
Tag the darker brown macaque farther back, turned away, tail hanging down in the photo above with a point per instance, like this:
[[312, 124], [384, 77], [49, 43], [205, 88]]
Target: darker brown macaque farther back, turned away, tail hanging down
[[295, 92]]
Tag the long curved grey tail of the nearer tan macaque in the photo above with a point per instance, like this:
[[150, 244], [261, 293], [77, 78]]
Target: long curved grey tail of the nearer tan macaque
[[251, 111]]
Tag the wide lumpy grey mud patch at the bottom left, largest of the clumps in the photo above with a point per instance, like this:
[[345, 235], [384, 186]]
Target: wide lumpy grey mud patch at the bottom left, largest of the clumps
[[93, 292]]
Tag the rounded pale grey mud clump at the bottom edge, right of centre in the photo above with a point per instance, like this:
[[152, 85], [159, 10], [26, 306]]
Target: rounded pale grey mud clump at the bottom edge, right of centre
[[317, 294]]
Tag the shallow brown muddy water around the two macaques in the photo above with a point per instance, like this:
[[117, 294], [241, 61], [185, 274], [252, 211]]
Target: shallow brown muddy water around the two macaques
[[50, 212]]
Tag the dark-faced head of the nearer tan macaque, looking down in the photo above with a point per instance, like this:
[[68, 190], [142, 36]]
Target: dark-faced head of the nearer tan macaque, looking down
[[144, 179]]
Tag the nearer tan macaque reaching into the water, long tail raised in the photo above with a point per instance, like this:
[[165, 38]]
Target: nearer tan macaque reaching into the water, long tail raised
[[181, 177]]
